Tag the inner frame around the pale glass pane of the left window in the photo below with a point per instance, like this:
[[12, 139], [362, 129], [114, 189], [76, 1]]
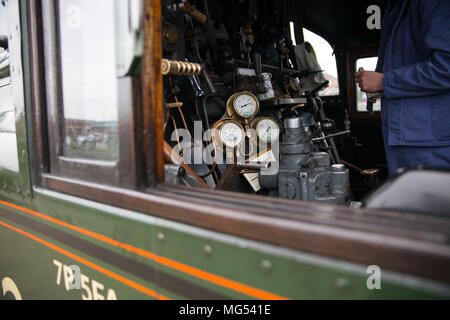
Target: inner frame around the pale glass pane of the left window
[[121, 172]]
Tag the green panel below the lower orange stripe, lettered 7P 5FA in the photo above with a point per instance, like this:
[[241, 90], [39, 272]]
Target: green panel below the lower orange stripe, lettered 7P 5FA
[[31, 266]]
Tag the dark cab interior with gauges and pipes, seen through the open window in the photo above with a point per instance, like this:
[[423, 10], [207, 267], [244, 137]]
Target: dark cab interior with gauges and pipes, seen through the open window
[[244, 91]]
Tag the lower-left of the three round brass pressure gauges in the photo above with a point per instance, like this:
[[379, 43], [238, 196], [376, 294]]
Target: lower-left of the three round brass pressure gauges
[[229, 133]]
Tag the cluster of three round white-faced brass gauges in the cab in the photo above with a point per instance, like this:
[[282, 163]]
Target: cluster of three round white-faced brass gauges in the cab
[[242, 109]]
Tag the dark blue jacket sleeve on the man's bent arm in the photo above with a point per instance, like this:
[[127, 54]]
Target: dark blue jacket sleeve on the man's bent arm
[[431, 76]]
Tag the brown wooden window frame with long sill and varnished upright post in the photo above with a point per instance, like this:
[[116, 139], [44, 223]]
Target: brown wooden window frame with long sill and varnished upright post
[[332, 231]]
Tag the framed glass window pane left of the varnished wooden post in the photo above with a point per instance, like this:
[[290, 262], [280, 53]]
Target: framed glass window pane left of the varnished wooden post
[[88, 102]]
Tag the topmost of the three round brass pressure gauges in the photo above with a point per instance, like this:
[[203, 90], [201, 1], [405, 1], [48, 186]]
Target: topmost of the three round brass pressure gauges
[[243, 106]]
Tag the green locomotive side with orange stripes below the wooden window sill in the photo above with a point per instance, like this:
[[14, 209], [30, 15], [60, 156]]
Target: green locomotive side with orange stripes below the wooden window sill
[[141, 257]]
